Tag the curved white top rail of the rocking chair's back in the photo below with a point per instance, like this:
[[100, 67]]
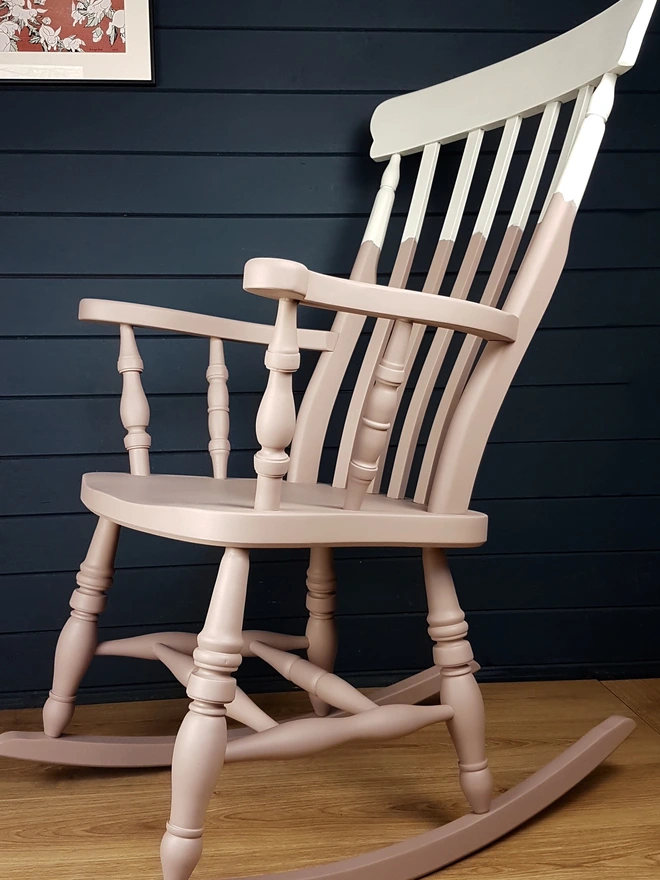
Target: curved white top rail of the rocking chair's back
[[518, 86]]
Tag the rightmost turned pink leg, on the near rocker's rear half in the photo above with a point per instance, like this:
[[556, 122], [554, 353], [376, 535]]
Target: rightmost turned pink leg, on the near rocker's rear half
[[458, 688]]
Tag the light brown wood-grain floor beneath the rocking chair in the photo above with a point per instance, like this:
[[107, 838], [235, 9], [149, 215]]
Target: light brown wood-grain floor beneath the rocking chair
[[73, 824]]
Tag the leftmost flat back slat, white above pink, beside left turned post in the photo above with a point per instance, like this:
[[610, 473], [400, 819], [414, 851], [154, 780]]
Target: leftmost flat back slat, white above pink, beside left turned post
[[383, 327]]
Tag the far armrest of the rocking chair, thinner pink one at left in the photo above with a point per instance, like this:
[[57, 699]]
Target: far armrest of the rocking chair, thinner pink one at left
[[156, 318]]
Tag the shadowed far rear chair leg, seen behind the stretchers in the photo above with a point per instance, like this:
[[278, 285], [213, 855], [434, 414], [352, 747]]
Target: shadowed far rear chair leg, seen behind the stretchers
[[321, 629]]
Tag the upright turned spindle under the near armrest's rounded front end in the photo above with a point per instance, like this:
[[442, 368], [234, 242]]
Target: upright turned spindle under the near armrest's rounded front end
[[276, 419]]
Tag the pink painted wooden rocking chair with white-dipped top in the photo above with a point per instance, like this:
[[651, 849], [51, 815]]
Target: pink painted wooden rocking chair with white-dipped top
[[580, 68]]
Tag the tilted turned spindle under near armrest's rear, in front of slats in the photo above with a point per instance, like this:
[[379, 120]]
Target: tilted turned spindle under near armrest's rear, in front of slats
[[379, 409]]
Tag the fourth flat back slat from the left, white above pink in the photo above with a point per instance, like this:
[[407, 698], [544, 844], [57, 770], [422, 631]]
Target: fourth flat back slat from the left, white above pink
[[492, 292]]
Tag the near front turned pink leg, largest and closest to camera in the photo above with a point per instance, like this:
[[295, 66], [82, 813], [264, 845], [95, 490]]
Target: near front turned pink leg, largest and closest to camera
[[199, 751]]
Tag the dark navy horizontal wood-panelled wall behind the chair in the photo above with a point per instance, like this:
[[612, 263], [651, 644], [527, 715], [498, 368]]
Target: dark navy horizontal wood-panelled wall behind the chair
[[254, 142]]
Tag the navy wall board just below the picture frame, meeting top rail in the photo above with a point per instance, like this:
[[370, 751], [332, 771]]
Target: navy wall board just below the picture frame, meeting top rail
[[262, 123]]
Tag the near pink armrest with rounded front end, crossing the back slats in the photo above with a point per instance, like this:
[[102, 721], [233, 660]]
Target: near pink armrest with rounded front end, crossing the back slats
[[285, 279]]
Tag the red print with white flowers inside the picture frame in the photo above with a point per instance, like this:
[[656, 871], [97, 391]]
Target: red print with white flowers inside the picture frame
[[62, 26]]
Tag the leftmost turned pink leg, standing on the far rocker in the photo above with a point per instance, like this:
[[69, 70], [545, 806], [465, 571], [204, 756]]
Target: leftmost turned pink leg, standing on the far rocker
[[79, 637]]
